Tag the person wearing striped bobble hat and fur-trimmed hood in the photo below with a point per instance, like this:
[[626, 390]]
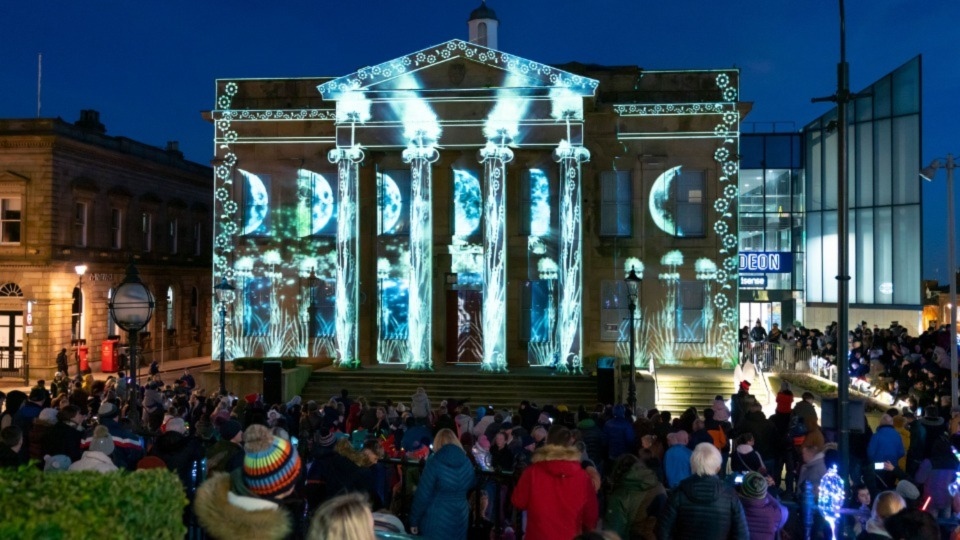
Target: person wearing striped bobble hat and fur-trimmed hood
[[254, 498]]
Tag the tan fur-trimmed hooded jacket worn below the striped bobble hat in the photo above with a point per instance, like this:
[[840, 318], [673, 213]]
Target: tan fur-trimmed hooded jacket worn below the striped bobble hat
[[225, 515]]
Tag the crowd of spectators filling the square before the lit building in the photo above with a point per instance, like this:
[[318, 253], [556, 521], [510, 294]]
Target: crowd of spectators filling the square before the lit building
[[348, 467]]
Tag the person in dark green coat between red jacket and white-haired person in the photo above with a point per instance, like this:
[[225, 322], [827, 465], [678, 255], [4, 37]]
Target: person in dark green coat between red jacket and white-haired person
[[635, 500]]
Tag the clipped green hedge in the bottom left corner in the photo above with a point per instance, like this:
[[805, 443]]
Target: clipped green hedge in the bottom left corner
[[82, 505]]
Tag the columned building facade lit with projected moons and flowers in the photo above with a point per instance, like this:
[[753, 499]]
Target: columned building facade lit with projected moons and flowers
[[463, 205]]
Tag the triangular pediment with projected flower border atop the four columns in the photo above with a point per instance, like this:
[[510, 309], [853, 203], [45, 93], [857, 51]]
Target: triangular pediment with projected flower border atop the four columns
[[443, 67]]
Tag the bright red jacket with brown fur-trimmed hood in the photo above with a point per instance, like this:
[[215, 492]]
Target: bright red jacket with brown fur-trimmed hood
[[557, 494]]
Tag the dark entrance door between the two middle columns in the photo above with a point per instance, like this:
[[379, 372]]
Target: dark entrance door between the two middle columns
[[464, 329]]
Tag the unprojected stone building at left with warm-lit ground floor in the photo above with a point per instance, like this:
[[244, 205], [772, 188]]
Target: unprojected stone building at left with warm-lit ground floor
[[74, 198]]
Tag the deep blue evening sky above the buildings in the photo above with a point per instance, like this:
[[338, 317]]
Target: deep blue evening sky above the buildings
[[149, 66]]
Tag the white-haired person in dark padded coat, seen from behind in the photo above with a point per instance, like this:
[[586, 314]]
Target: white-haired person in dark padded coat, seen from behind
[[702, 507]]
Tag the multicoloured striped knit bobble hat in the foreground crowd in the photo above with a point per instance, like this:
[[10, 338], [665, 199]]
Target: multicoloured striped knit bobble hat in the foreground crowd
[[271, 465]]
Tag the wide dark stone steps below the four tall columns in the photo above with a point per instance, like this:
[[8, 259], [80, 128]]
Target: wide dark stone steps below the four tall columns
[[462, 383]]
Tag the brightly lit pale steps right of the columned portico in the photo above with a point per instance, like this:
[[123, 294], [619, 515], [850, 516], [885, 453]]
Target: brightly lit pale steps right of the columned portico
[[680, 388]]
